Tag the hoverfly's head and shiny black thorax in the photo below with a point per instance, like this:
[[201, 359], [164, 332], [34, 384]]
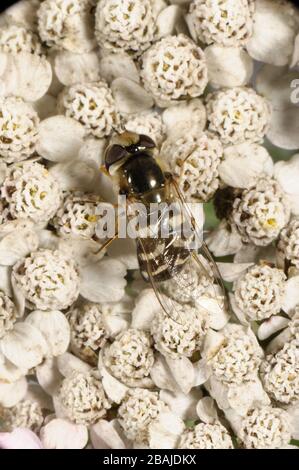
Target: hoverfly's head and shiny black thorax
[[130, 159]]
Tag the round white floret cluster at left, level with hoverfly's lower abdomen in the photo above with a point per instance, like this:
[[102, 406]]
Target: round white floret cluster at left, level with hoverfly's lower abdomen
[[47, 279]]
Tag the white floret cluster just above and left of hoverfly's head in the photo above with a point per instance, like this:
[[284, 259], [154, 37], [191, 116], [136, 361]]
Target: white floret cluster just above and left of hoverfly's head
[[93, 105]]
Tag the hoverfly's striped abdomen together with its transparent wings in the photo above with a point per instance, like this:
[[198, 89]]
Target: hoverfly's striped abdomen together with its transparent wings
[[179, 266]]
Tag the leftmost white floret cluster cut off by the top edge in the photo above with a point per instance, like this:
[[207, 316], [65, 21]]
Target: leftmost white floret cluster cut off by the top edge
[[66, 24]]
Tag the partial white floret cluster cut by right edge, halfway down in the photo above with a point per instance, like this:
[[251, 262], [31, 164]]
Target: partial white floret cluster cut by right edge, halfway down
[[288, 245]]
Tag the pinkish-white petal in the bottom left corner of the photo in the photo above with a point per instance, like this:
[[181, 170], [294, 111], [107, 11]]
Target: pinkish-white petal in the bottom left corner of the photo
[[20, 438]]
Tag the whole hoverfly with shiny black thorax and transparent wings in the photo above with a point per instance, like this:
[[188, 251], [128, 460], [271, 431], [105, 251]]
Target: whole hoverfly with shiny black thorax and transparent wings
[[168, 263]]
